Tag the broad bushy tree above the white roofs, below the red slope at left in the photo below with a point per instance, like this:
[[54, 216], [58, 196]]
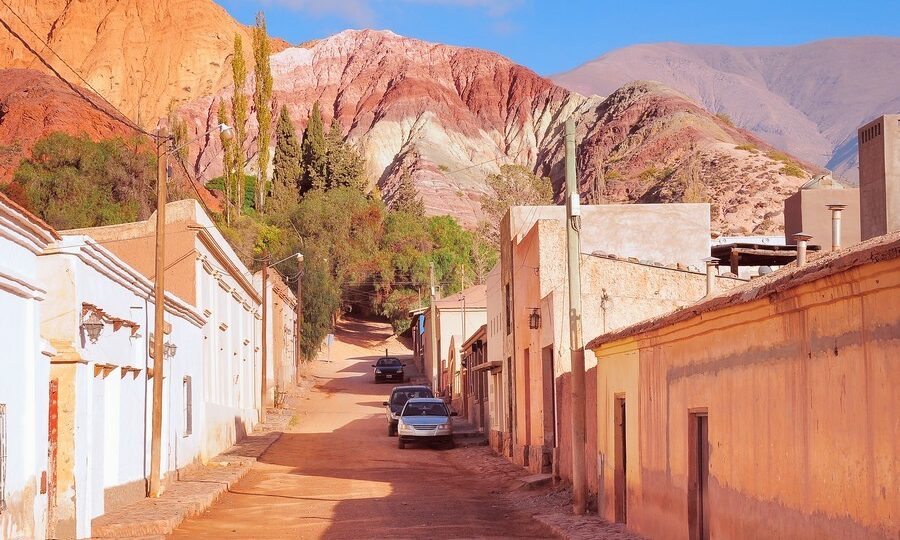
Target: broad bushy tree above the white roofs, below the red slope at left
[[74, 182]]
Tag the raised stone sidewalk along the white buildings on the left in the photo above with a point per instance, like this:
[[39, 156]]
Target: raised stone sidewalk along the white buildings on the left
[[195, 489]]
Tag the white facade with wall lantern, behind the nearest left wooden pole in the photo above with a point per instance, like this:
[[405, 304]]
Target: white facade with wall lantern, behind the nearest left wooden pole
[[105, 450]]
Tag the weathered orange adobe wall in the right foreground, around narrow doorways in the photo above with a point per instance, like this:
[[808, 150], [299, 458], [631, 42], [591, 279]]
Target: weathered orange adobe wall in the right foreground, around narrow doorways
[[800, 388]]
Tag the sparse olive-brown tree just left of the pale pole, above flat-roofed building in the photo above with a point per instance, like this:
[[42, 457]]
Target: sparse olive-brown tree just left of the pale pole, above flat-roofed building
[[514, 185]]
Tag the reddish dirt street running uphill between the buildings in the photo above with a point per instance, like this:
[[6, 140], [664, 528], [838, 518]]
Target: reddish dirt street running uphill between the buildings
[[336, 473]]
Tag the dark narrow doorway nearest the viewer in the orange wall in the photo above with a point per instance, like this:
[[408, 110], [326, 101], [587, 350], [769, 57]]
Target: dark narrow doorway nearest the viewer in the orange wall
[[698, 475]]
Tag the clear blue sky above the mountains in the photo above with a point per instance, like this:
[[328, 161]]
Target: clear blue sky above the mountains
[[551, 37]]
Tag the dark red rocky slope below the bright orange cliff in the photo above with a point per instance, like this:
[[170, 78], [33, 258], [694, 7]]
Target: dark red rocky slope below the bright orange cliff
[[33, 105]]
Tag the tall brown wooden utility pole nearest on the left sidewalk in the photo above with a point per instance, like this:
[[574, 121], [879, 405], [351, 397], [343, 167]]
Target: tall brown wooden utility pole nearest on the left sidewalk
[[159, 306]]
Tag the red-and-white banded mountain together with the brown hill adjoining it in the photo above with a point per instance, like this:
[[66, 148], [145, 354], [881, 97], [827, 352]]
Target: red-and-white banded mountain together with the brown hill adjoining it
[[450, 116]]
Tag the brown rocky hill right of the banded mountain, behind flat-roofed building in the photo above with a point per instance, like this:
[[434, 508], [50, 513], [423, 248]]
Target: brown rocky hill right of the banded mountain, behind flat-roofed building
[[648, 143]]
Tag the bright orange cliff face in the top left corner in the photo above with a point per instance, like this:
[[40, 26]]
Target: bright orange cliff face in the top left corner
[[142, 55]]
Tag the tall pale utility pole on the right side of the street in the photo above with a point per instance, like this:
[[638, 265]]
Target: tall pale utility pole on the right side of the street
[[576, 340]]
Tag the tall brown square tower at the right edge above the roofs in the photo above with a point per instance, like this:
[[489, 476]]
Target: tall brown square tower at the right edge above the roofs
[[879, 176]]
